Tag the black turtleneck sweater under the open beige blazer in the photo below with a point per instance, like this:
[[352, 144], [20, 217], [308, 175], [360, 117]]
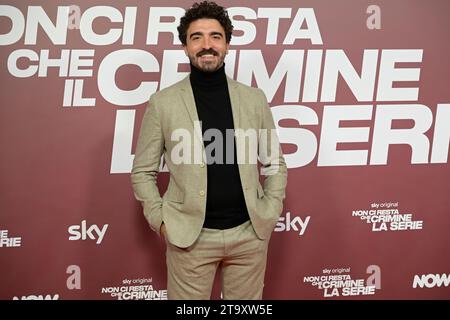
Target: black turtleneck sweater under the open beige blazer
[[225, 203]]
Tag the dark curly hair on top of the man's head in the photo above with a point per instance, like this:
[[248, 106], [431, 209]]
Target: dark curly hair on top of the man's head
[[205, 10]]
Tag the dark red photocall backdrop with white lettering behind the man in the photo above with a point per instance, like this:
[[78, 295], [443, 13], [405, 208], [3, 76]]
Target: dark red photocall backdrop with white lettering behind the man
[[360, 94]]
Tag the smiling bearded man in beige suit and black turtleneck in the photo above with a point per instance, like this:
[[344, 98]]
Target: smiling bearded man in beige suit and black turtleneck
[[213, 132]]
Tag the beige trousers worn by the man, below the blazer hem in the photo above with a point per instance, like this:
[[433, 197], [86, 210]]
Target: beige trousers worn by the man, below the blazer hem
[[239, 253]]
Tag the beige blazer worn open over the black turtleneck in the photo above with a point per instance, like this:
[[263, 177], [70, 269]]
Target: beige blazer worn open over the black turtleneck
[[182, 207]]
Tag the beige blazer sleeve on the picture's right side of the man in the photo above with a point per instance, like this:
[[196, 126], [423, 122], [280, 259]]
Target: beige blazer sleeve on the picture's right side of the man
[[273, 165]]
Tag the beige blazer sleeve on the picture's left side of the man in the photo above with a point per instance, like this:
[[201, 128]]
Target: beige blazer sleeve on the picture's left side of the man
[[149, 149]]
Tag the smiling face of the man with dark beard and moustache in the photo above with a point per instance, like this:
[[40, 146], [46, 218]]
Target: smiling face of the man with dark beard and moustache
[[206, 44]]
